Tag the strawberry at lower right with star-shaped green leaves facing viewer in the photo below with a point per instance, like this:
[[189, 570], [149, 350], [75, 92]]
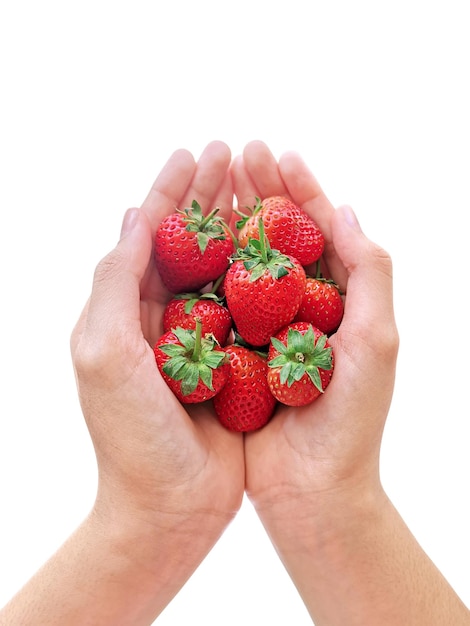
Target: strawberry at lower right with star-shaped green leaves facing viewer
[[301, 364]]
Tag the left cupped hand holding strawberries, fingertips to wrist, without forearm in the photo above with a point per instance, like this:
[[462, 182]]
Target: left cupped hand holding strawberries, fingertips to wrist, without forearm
[[156, 457]]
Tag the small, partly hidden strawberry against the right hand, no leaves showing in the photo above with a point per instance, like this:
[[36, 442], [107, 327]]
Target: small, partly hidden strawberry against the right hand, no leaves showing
[[322, 305]]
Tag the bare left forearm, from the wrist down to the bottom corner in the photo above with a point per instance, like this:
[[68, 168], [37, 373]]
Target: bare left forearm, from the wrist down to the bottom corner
[[115, 573]]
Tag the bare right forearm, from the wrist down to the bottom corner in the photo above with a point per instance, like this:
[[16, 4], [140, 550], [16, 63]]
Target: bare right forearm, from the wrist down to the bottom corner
[[359, 564]]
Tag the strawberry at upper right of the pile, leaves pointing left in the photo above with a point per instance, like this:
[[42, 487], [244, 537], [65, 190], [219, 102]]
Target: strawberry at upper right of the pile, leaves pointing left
[[288, 228]]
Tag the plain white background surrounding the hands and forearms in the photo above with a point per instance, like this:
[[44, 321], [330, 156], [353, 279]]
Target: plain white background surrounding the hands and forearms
[[94, 98]]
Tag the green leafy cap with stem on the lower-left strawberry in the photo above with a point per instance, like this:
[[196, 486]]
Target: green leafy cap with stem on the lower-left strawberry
[[193, 358]]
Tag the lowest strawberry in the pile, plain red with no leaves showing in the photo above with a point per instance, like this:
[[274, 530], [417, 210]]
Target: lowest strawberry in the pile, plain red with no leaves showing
[[245, 403]]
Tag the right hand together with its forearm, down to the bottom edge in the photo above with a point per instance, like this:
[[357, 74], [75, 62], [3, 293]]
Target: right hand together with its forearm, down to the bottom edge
[[312, 473]]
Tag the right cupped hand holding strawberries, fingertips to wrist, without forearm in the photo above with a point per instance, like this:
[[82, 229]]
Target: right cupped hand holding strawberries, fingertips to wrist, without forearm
[[332, 444]]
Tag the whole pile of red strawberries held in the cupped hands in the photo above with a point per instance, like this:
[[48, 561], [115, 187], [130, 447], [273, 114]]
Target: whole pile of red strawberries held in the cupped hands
[[247, 327]]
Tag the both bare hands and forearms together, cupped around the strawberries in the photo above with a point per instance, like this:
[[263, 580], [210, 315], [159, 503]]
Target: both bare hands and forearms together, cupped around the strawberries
[[170, 478]]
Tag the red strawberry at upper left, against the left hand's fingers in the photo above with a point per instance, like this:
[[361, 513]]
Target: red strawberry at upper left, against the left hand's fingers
[[192, 250]]
